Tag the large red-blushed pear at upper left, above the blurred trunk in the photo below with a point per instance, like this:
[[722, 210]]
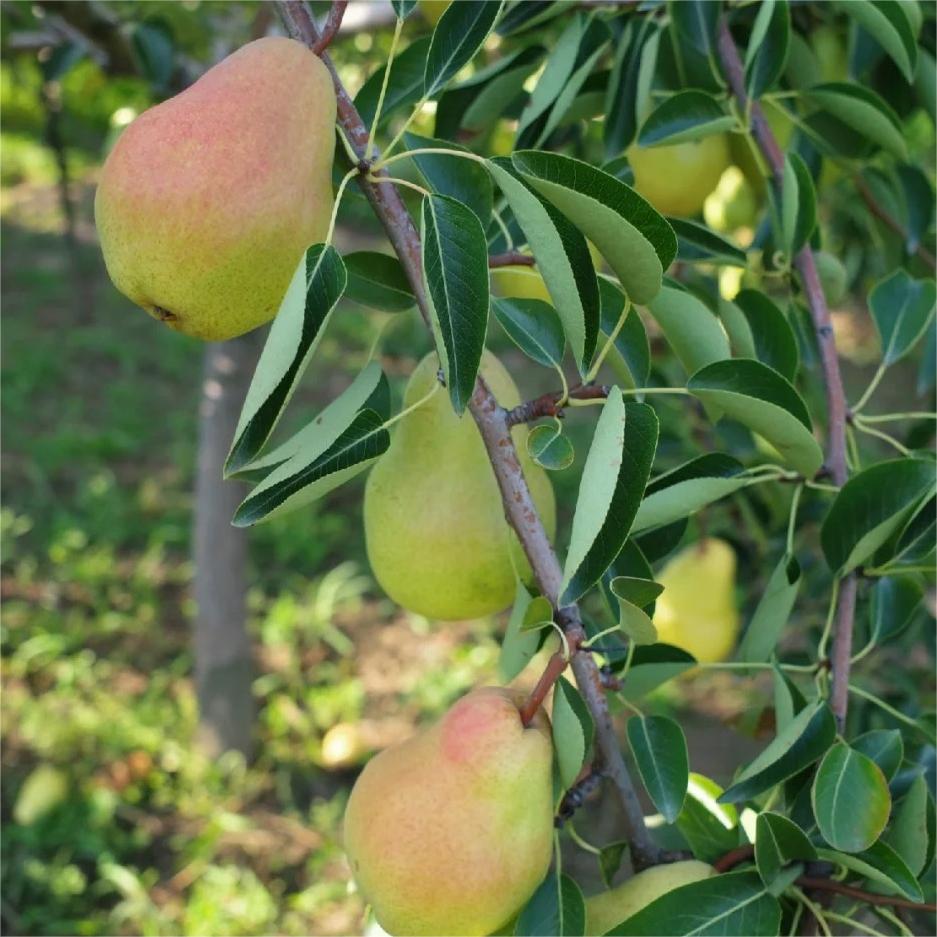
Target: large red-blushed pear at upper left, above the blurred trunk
[[209, 200]]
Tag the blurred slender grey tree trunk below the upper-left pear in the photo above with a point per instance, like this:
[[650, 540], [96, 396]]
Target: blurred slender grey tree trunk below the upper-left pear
[[223, 666]]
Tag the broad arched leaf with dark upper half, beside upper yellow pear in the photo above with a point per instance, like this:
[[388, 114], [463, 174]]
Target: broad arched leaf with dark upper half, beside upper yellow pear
[[635, 240]]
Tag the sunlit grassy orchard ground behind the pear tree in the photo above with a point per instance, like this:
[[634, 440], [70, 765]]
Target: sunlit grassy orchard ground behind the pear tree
[[99, 429]]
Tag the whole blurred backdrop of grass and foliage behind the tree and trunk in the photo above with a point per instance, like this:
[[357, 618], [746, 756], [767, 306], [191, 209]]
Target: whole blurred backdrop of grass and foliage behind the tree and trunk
[[113, 821]]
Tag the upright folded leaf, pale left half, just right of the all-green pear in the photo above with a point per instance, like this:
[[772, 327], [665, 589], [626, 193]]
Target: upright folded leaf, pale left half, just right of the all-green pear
[[610, 491]]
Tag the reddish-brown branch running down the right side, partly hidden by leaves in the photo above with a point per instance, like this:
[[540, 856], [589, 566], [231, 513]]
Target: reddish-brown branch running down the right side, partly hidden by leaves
[[823, 326]]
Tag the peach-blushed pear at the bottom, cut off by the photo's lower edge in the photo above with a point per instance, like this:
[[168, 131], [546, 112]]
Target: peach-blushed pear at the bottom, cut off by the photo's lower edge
[[451, 832]]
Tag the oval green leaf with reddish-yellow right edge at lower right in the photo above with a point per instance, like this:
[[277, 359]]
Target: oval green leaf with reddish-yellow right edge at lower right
[[850, 799]]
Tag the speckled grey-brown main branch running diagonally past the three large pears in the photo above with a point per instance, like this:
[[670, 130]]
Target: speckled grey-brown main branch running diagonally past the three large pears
[[496, 433]]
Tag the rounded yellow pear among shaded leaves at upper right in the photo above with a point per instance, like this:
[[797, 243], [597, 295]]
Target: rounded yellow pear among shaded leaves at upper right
[[676, 179]]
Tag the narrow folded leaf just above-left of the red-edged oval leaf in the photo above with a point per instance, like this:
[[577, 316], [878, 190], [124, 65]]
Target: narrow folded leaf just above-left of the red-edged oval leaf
[[796, 747]]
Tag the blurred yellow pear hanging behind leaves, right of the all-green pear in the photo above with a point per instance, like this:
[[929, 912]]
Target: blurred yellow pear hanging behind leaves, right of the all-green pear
[[696, 611]]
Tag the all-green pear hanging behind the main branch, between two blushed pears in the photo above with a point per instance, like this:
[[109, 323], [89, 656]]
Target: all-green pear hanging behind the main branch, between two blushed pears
[[434, 523]]
